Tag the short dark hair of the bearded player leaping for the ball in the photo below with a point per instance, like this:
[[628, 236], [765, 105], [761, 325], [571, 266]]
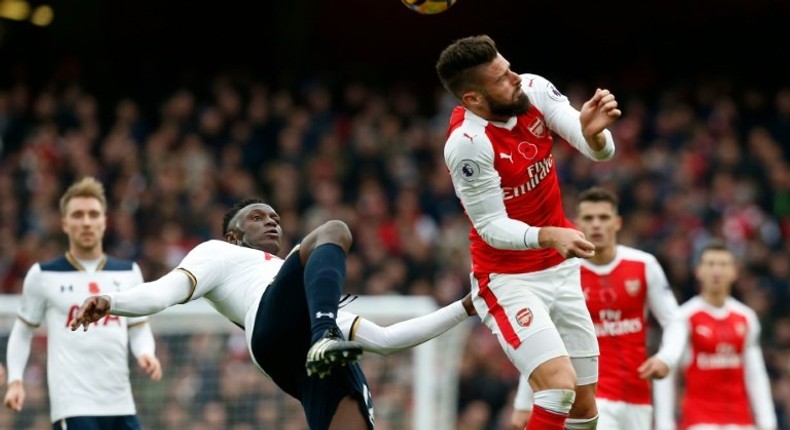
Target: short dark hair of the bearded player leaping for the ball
[[457, 61]]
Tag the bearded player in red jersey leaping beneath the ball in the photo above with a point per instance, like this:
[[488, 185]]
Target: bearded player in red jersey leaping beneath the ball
[[525, 278]]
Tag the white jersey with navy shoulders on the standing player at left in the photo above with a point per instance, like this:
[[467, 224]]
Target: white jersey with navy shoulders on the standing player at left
[[87, 371]]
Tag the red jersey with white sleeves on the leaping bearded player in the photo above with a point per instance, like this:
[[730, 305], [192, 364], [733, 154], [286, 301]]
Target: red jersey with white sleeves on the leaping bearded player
[[504, 175]]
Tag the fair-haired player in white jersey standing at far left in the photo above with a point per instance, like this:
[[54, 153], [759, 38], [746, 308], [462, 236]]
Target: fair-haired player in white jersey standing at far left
[[88, 374]]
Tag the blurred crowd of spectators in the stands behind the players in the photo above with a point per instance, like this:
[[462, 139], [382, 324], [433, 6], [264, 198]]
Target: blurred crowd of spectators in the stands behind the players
[[694, 161]]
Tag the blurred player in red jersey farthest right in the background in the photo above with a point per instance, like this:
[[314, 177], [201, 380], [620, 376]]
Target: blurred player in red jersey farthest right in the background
[[726, 385]]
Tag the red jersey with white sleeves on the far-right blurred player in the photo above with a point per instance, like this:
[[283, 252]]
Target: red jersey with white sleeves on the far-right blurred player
[[725, 378]]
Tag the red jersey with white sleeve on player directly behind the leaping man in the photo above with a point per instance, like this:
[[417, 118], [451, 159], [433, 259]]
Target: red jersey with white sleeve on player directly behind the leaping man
[[618, 295]]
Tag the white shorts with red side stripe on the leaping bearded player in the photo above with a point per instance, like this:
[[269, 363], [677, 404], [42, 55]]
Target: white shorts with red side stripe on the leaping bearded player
[[543, 311]]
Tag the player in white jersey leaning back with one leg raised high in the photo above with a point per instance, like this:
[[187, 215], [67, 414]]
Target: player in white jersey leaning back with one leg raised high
[[272, 300]]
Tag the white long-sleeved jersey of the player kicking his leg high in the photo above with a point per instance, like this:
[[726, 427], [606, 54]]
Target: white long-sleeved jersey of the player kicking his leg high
[[233, 279]]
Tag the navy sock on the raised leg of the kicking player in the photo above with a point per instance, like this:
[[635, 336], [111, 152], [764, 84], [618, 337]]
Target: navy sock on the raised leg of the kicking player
[[324, 279]]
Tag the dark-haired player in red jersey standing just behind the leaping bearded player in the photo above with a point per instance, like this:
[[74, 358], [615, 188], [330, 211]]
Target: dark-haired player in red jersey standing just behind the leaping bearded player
[[620, 283]]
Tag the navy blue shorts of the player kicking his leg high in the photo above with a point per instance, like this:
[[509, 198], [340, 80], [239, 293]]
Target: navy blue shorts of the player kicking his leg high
[[280, 340]]
